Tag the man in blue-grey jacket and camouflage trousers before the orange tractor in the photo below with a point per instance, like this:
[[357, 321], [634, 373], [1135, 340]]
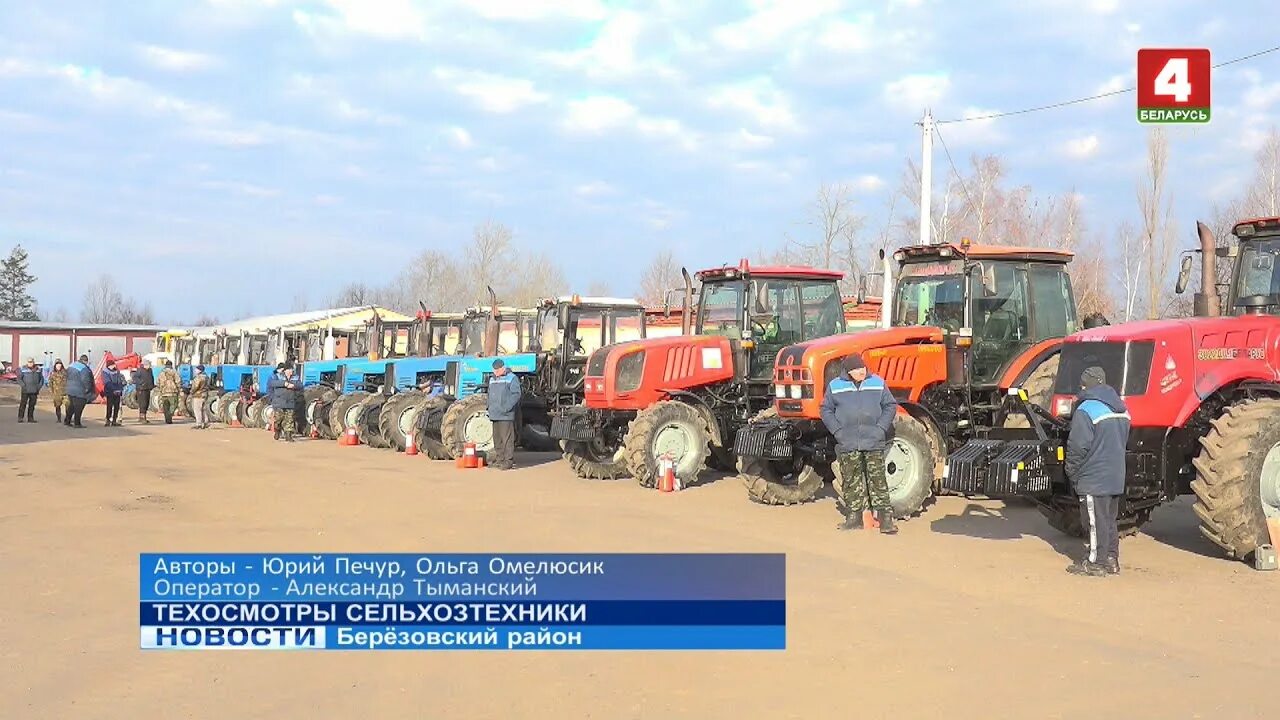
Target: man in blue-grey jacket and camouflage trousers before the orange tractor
[[860, 412]]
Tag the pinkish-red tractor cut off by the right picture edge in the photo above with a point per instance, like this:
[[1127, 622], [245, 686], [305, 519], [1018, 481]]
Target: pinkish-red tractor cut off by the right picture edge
[[1204, 395]]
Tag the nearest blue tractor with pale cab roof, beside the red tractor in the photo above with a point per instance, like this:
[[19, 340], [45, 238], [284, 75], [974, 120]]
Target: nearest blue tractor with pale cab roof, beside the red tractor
[[547, 349]]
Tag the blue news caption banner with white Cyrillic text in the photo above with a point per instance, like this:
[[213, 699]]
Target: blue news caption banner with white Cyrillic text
[[359, 601]]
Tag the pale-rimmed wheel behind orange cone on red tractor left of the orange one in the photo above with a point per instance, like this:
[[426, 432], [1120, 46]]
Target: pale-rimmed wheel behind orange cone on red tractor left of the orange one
[[668, 429]]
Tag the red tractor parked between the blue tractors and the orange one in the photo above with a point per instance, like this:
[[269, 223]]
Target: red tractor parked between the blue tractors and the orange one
[[683, 399]]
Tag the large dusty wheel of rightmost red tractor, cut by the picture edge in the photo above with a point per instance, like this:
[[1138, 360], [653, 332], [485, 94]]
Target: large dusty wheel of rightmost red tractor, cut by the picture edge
[[1237, 481]]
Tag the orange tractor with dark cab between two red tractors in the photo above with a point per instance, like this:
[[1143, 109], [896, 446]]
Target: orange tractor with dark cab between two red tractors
[[967, 322]]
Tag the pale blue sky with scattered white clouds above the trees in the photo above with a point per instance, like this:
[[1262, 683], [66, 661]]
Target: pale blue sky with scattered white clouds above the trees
[[228, 156]]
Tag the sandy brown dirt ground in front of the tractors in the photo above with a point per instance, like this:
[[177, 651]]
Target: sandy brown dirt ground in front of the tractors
[[966, 614]]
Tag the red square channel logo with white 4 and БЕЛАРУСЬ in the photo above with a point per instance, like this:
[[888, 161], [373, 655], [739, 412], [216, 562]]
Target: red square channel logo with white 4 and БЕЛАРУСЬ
[[1174, 85]]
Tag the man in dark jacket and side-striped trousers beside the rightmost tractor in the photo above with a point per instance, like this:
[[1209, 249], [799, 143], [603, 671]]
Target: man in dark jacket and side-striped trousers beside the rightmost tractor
[[1096, 467]]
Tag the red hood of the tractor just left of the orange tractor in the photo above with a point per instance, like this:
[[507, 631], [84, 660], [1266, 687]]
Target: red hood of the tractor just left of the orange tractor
[[632, 376]]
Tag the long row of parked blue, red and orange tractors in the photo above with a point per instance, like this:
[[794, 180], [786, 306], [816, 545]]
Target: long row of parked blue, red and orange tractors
[[981, 345]]
